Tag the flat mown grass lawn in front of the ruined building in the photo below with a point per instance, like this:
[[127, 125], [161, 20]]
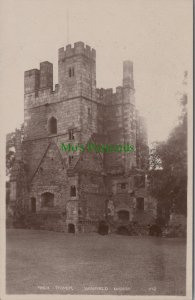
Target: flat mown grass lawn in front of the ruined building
[[48, 262]]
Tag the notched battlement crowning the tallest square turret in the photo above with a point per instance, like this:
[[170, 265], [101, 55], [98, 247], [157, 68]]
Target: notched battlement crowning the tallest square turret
[[79, 49]]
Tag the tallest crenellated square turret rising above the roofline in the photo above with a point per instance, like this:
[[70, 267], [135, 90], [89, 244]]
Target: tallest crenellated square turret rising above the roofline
[[77, 71]]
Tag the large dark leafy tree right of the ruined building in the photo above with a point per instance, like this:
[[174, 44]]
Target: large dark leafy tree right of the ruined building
[[168, 174]]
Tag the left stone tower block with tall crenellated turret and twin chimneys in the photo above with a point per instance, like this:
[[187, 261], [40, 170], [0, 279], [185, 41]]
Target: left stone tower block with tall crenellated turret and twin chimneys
[[65, 115]]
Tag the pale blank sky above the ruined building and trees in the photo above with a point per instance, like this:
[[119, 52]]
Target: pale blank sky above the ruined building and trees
[[155, 34]]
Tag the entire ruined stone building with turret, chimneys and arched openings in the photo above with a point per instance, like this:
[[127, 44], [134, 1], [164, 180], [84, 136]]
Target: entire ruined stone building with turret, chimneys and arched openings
[[74, 191]]
